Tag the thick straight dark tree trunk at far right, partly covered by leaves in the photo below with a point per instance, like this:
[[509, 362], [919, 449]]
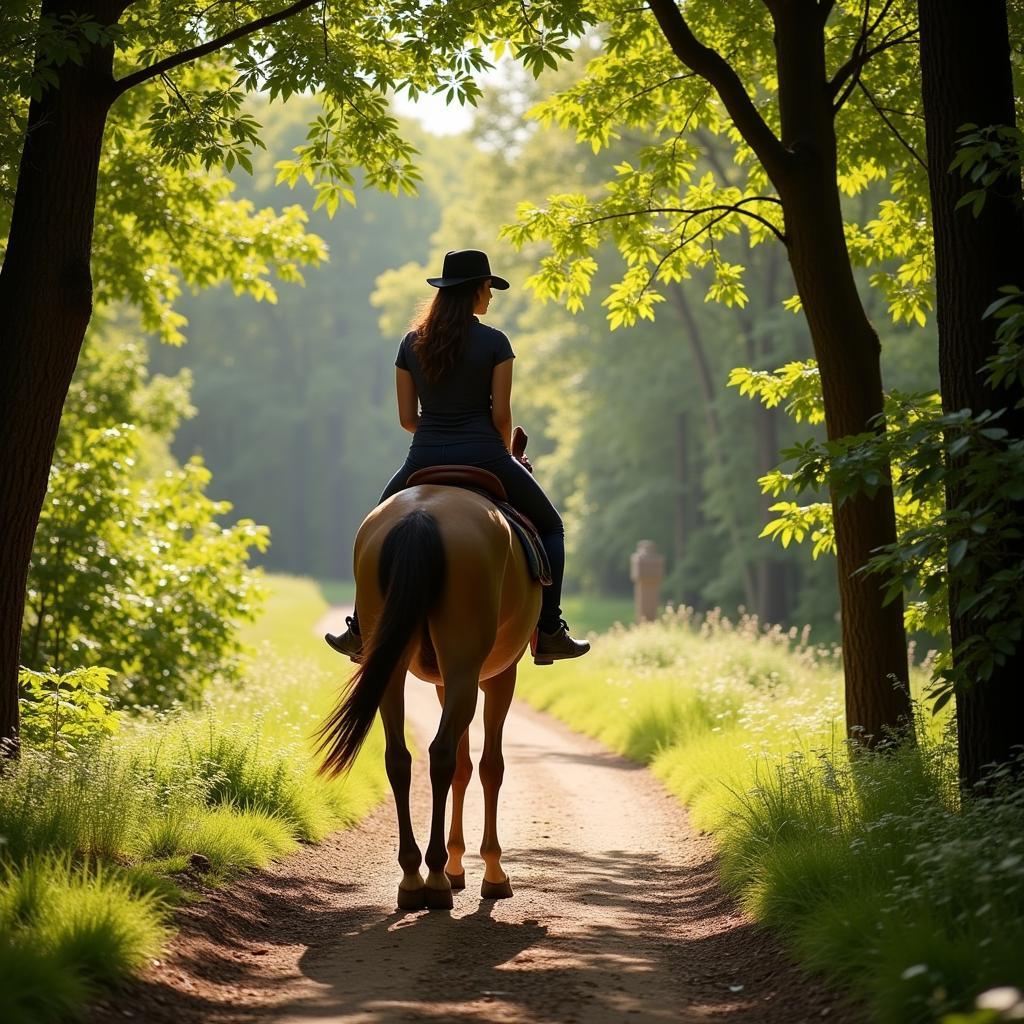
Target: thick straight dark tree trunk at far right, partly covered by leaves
[[967, 78]]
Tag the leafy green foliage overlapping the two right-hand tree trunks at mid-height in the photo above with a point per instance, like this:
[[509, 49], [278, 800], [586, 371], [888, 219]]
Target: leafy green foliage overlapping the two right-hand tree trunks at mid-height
[[958, 475]]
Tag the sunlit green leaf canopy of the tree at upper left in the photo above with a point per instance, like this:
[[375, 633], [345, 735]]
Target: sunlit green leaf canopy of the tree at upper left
[[164, 210]]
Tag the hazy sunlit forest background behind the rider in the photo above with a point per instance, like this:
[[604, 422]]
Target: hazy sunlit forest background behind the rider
[[634, 433]]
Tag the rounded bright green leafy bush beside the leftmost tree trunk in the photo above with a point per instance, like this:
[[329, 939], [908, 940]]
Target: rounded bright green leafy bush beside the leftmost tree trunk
[[134, 568]]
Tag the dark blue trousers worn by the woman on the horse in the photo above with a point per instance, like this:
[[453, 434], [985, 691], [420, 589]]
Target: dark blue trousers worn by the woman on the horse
[[525, 493]]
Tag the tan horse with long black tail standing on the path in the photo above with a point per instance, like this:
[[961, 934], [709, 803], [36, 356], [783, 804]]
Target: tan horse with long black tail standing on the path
[[445, 592]]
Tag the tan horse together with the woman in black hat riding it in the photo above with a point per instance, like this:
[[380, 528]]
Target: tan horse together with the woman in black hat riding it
[[444, 586]]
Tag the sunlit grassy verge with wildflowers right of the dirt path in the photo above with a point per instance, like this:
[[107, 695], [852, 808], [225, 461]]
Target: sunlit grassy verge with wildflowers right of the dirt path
[[871, 871]]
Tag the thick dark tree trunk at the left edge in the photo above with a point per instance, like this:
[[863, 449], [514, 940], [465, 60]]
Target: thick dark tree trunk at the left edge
[[46, 306]]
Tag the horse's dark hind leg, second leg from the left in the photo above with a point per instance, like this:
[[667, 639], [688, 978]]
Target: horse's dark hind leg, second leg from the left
[[457, 714]]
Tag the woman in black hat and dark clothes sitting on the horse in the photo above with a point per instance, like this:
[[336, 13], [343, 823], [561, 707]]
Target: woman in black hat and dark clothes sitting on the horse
[[454, 379]]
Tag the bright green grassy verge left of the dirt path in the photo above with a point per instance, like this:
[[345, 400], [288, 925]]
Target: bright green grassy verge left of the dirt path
[[100, 843]]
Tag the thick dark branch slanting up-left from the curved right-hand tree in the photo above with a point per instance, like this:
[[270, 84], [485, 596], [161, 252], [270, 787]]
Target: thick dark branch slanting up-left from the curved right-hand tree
[[710, 65]]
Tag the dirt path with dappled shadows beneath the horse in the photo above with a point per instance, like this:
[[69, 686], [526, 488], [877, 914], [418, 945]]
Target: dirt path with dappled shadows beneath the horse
[[617, 917]]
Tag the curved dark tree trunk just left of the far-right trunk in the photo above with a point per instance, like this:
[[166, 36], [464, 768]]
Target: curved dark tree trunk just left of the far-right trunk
[[847, 350]]
